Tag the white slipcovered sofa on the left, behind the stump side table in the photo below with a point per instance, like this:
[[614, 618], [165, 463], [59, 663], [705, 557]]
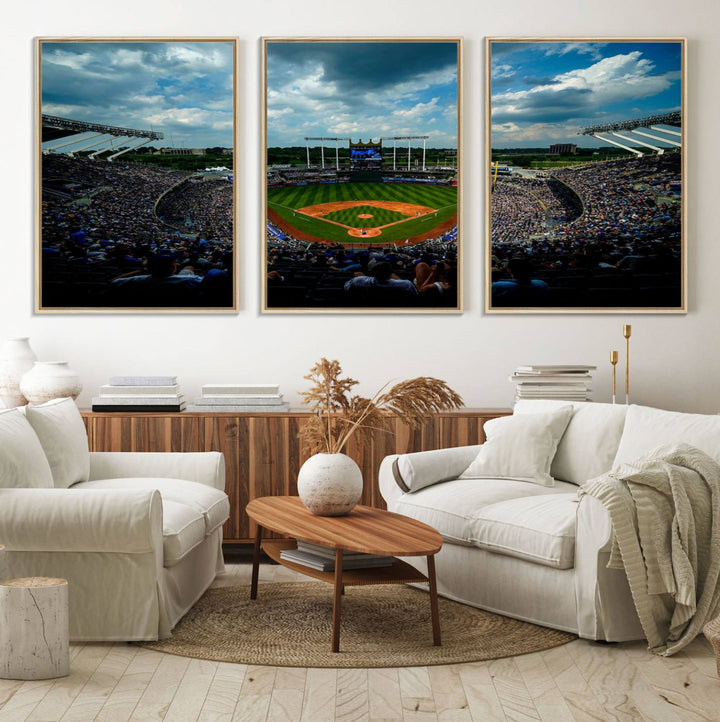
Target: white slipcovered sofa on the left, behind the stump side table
[[138, 536]]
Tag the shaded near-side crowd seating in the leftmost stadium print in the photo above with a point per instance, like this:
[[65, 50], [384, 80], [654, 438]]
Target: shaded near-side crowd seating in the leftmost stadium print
[[104, 245]]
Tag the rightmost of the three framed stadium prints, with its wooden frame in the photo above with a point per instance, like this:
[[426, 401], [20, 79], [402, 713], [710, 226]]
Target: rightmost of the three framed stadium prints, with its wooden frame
[[585, 188]]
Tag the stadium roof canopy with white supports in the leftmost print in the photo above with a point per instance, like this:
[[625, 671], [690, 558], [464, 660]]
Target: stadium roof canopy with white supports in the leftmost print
[[73, 136]]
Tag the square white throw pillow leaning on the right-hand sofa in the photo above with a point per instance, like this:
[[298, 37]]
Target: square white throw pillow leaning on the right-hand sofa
[[520, 447]]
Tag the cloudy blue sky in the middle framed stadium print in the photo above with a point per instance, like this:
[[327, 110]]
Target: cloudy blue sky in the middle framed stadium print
[[362, 90]]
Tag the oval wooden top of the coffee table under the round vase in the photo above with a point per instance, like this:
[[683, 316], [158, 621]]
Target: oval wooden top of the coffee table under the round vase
[[364, 529]]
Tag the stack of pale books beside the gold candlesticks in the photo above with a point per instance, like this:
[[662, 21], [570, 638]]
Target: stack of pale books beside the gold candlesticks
[[567, 383]]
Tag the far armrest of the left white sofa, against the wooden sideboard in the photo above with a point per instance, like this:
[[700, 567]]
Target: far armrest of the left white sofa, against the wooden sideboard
[[207, 467]]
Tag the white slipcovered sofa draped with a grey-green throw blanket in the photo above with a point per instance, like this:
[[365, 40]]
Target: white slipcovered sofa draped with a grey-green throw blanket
[[533, 552]]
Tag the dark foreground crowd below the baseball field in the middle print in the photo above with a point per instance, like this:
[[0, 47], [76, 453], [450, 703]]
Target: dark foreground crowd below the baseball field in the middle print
[[303, 274]]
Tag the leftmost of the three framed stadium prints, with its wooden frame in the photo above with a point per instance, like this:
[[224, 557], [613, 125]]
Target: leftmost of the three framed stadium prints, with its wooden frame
[[136, 175]]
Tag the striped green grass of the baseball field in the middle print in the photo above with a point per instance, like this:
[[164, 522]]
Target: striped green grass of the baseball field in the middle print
[[284, 201]]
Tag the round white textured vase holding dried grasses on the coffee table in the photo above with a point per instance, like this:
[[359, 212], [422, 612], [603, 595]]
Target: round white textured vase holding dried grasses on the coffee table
[[330, 484]]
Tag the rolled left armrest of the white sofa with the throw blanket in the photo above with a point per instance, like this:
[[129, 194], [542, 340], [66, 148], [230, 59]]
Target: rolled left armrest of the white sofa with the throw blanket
[[410, 472]]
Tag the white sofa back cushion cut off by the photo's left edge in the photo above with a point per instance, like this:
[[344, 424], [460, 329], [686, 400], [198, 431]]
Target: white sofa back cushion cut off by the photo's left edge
[[23, 463]]
